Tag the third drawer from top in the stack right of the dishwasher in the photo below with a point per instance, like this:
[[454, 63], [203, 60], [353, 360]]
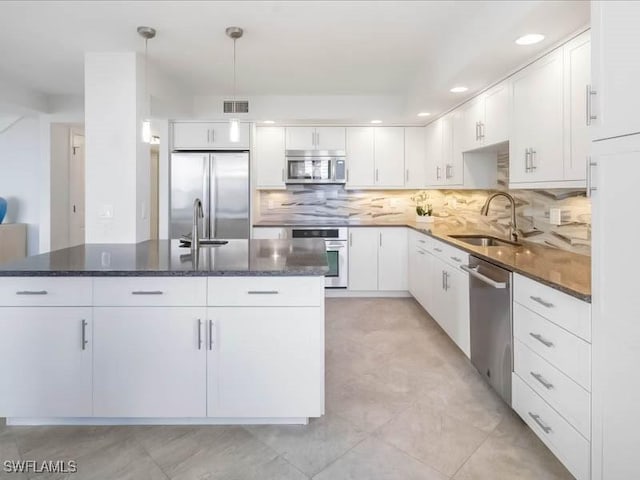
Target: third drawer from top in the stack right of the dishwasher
[[570, 400]]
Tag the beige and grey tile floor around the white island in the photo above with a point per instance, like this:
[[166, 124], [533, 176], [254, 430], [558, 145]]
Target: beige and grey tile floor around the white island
[[402, 403]]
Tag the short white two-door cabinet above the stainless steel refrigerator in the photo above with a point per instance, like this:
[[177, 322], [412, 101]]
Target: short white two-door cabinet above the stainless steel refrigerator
[[208, 136]]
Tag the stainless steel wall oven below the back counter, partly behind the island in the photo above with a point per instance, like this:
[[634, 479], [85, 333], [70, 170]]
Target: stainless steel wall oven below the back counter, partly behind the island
[[336, 241]]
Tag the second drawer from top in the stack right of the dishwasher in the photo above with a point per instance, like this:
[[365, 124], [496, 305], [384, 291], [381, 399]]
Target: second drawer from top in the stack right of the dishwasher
[[568, 353]]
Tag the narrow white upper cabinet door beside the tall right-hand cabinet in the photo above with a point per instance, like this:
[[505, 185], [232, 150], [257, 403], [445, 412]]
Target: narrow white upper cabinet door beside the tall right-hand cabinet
[[577, 62]]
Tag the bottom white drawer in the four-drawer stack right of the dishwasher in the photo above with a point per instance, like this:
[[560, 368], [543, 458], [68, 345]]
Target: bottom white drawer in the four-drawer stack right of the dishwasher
[[563, 440]]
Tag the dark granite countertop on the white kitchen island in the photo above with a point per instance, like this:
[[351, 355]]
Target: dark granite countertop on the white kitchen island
[[291, 257]]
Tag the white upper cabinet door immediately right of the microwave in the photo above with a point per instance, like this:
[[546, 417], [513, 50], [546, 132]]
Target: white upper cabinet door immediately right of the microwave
[[360, 161]]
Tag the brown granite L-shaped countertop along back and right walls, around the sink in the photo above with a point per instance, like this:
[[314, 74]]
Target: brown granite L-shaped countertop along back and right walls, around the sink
[[565, 271]]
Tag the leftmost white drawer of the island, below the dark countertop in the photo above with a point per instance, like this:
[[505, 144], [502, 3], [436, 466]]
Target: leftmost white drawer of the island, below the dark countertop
[[45, 291]]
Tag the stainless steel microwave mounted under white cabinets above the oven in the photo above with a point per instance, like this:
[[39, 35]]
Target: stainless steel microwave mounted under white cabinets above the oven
[[316, 166]]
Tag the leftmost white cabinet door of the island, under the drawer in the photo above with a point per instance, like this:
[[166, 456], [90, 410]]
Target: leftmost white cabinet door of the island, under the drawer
[[45, 361]]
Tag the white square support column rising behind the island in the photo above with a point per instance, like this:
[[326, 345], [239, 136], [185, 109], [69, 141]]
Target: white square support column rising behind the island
[[117, 161]]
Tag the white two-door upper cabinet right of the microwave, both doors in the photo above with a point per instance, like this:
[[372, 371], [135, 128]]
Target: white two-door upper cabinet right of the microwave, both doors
[[375, 157]]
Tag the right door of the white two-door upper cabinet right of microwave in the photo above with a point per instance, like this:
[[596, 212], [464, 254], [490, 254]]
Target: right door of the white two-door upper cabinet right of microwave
[[389, 156]]
